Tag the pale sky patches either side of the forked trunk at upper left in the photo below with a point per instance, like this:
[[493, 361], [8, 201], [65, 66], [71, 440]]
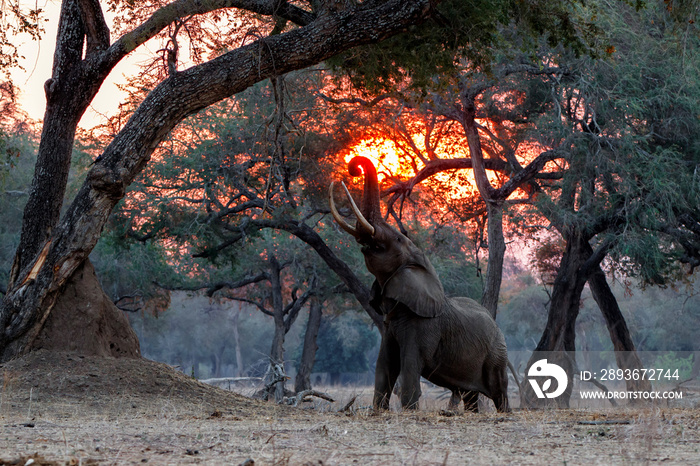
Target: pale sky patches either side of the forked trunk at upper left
[[37, 63]]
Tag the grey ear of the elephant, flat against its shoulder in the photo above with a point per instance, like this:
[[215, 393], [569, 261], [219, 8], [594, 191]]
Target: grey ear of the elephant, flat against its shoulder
[[417, 288]]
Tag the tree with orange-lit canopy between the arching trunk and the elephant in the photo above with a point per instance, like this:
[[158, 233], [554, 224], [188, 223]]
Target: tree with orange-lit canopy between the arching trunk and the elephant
[[222, 204]]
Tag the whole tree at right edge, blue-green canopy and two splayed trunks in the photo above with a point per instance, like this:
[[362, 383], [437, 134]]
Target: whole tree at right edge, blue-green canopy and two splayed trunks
[[628, 192]]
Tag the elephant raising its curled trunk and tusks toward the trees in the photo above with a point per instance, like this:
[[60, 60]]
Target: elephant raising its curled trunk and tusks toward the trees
[[451, 342]]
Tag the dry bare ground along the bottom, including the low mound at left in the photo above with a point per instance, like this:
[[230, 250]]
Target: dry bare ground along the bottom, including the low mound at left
[[57, 408]]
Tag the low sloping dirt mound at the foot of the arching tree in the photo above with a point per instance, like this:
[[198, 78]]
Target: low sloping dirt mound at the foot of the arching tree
[[104, 385]]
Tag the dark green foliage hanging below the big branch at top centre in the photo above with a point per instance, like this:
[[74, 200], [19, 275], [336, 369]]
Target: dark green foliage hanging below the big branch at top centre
[[467, 35]]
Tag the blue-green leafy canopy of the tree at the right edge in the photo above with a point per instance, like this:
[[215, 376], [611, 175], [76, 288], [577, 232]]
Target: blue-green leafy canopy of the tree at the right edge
[[631, 134]]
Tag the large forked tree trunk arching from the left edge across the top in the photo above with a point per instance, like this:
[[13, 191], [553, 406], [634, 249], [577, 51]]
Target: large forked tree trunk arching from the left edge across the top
[[50, 253]]
